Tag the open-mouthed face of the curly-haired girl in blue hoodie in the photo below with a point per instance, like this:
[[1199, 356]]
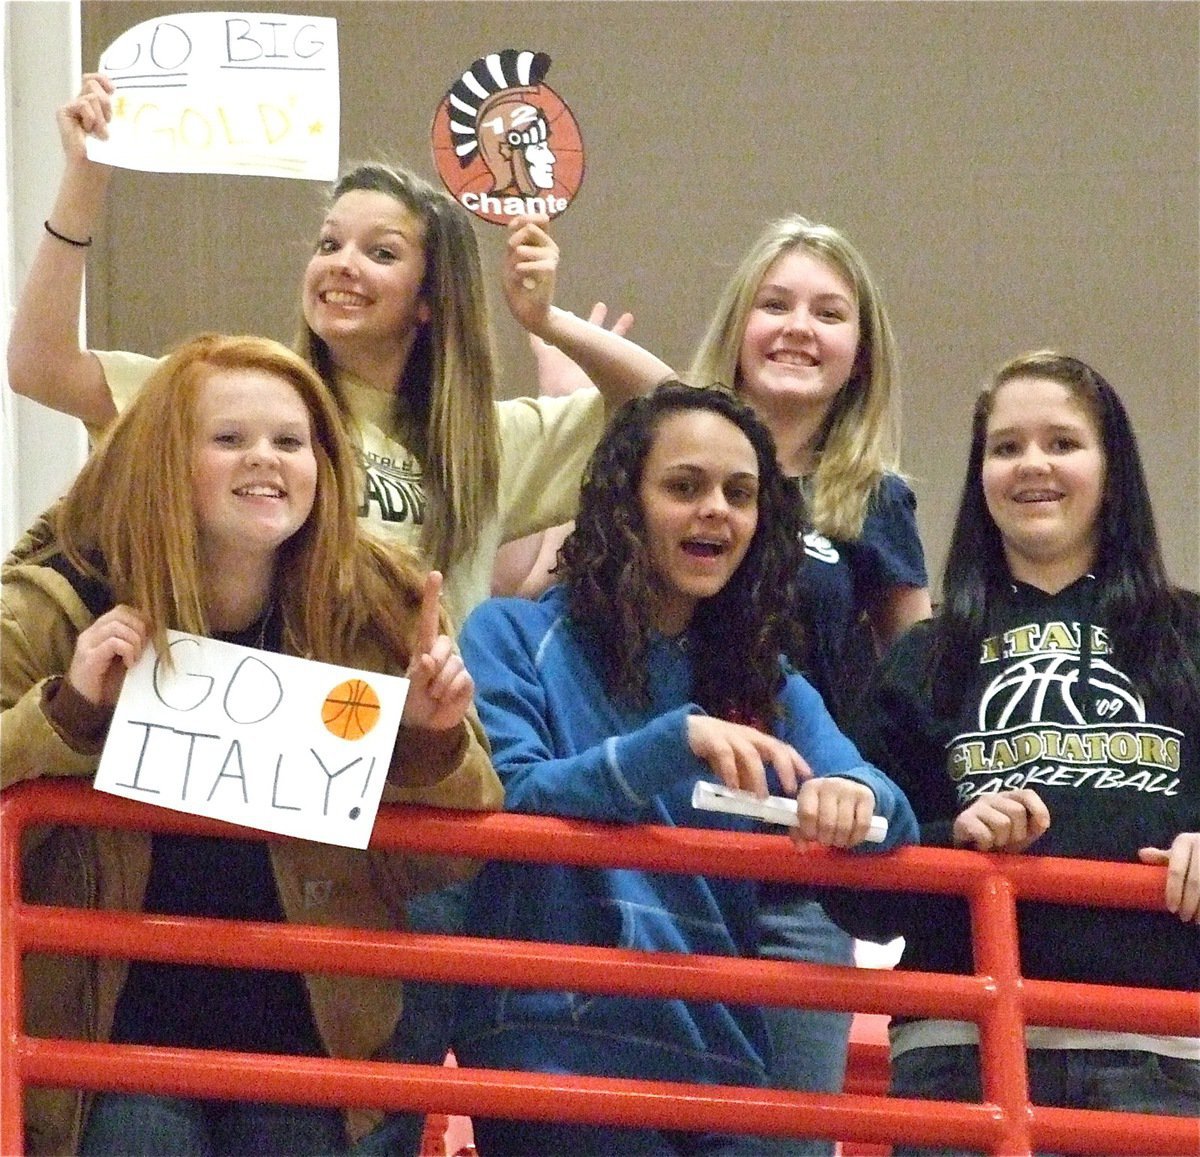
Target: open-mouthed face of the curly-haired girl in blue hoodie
[[700, 506]]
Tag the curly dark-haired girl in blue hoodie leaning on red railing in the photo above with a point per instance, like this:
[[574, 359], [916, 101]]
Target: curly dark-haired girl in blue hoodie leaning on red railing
[[659, 661]]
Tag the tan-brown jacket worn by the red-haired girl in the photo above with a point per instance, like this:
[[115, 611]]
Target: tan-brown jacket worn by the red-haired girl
[[319, 884]]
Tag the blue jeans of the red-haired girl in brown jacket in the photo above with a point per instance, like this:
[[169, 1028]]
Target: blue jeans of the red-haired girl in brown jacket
[[142, 1125]]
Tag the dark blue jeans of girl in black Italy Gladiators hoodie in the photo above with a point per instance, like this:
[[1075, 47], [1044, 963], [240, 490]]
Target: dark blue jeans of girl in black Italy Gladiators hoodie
[[1118, 1080]]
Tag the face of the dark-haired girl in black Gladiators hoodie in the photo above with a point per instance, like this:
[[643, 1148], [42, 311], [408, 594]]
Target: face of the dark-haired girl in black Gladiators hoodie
[[1043, 481]]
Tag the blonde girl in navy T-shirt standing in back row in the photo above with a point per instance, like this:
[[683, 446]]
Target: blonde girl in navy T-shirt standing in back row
[[801, 333]]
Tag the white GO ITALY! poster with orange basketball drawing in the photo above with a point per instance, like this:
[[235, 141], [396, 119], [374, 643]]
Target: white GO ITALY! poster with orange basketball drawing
[[256, 739]]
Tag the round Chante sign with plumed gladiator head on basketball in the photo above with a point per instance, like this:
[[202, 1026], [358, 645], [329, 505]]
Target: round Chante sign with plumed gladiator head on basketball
[[505, 143]]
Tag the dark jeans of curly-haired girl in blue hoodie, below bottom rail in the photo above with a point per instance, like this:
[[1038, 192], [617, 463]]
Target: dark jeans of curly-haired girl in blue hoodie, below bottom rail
[[497, 1137]]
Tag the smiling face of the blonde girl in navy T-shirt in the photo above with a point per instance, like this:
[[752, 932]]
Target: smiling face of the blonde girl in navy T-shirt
[[801, 338]]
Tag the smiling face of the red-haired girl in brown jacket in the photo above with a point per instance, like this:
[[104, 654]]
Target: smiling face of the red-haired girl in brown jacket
[[254, 469]]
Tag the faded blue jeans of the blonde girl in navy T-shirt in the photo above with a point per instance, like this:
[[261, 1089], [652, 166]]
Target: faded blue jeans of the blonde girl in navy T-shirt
[[808, 1046]]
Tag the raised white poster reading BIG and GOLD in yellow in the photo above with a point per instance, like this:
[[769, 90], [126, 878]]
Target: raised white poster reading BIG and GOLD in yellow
[[225, 93]]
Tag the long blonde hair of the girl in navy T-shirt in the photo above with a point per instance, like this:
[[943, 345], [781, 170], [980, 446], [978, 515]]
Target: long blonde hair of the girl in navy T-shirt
[[860, 441]]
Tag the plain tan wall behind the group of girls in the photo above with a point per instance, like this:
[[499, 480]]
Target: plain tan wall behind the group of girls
[[1017, 175]]
